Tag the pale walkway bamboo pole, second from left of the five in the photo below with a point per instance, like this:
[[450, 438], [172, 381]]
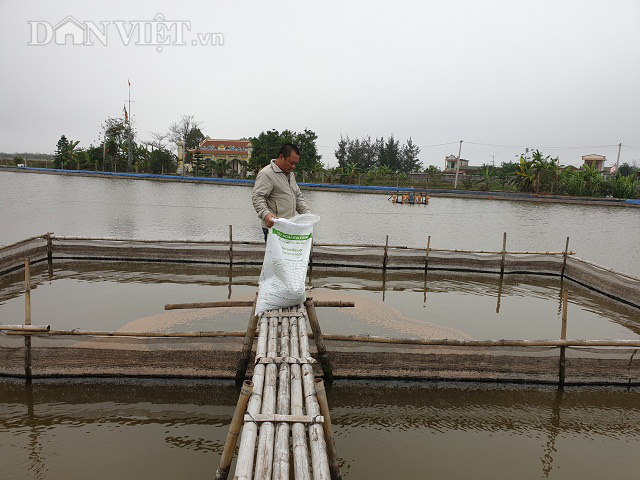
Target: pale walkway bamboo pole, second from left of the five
[[264, 455]]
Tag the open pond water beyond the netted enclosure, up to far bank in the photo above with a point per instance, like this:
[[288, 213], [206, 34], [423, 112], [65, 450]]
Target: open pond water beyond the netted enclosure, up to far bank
[[33, 204]]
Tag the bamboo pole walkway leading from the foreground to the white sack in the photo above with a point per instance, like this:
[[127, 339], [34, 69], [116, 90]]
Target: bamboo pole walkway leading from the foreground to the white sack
[[283, 409]]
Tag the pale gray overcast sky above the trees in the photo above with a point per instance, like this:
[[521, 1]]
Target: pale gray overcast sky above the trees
[[528, 73]]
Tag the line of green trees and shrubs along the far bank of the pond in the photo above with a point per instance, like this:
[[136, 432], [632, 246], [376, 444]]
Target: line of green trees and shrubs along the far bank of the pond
[[363, 160]]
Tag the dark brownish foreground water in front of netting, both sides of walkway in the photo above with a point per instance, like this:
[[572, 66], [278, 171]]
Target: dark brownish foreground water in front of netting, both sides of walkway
[[176, 429]]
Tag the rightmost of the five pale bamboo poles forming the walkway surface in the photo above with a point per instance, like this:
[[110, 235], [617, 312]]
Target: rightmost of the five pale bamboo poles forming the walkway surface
[[317, 444]]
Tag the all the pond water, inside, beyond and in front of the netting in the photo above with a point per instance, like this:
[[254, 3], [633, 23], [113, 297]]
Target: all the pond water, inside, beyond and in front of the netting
[[151, 429]]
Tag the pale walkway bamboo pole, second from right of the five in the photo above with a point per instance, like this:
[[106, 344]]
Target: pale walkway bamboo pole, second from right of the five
[[301, 466]]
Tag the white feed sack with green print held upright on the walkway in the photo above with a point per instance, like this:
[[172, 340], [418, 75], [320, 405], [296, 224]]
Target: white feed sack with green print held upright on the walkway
[[284, 270]]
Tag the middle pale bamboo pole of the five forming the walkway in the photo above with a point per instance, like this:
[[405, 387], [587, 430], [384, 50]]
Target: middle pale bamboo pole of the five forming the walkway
[[281, 465]]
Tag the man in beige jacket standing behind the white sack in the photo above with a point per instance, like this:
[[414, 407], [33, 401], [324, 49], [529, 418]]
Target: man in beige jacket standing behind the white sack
[[276, 193]]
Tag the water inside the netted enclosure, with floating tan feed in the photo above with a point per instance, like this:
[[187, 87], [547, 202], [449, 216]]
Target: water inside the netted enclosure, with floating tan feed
[[112, 295]]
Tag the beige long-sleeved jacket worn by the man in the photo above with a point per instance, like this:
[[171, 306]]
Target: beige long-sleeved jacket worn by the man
[[278, 193]]
